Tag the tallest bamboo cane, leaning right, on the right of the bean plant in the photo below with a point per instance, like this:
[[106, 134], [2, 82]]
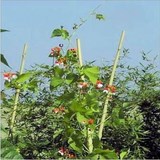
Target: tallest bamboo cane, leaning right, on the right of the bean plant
[[105, 109]]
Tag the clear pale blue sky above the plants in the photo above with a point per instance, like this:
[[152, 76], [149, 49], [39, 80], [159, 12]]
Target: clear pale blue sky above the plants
[[33, 21]]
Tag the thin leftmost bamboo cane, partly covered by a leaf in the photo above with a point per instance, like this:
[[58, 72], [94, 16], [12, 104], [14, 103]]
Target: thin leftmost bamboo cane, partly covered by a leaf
[[18, 90]]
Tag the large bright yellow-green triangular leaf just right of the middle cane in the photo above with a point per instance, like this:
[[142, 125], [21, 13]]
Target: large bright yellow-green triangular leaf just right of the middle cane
[[92, 73]]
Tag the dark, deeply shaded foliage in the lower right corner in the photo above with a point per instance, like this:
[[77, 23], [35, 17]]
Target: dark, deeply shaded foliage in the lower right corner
[[150, 107]]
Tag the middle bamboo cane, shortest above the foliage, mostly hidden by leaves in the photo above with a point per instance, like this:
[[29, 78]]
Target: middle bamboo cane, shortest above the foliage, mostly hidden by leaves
[[89, 131]]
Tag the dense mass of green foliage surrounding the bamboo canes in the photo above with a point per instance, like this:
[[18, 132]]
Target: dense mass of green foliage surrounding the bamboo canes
[[53, 112]]
